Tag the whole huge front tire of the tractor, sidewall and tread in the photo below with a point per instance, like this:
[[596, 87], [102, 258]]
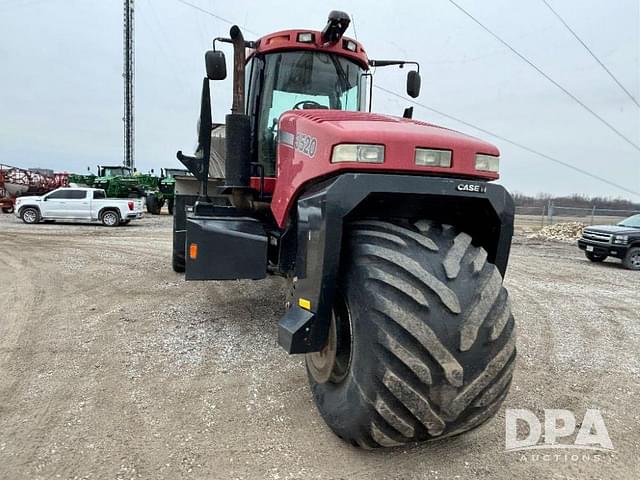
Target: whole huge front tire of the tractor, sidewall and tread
[[423, 338]]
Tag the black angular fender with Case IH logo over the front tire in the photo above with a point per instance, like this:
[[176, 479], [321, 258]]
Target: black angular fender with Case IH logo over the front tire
[[483, 210]]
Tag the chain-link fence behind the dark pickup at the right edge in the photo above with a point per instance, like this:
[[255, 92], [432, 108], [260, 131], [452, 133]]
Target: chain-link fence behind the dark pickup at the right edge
[[533, 218]]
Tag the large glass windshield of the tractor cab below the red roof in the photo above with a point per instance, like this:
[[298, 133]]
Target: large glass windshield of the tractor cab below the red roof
[[302, 80]]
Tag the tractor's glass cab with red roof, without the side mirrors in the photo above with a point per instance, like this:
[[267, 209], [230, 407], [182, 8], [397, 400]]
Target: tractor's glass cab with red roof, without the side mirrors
[[288, 77]]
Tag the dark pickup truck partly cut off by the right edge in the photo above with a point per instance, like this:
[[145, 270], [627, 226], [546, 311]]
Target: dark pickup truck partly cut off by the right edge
[[620, 241]]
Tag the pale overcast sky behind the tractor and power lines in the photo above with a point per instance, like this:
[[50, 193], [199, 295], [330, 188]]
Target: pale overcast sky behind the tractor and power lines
[[61, 83]]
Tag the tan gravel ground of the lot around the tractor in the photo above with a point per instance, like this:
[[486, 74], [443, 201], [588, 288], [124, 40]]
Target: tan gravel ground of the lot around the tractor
[[111, 366]]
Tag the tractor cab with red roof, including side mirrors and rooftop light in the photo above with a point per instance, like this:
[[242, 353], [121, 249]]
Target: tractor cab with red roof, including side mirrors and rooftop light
[[294, 70]]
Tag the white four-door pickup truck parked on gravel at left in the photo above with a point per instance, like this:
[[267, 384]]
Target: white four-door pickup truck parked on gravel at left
[[89, 204]]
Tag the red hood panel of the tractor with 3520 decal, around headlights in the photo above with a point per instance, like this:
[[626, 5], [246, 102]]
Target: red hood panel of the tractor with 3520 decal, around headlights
[[306, 139]]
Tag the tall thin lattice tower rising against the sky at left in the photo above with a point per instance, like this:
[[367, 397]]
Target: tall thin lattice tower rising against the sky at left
[[128, 74]]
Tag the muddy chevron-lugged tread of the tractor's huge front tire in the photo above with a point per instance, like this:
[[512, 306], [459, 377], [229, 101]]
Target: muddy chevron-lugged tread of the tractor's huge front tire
[[429, 383]]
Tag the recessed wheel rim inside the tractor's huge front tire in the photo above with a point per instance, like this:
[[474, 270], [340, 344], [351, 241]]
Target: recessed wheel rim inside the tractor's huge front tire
[[332, 363]]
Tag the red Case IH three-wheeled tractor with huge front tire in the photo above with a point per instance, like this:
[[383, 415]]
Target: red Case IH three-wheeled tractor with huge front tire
[[389, 231]]
